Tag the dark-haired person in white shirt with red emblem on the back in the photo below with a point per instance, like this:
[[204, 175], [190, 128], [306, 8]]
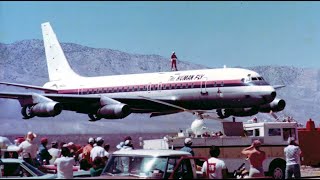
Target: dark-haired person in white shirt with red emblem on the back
[[217, 167]]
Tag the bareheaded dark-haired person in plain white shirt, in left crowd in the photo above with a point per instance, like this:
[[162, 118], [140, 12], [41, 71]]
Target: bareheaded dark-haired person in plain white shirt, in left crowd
[[65, 164]]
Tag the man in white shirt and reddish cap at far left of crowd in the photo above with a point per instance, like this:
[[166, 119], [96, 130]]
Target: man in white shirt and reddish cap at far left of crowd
[[28, 150]]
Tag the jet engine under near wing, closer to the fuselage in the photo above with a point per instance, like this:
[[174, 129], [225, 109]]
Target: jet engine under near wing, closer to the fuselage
[[114, 111]]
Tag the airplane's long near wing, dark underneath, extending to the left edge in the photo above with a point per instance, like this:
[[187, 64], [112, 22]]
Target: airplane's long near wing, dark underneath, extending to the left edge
[[91, 103]]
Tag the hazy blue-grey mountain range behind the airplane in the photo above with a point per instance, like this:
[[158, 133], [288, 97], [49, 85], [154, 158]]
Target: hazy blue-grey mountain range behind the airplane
[[24, 62]]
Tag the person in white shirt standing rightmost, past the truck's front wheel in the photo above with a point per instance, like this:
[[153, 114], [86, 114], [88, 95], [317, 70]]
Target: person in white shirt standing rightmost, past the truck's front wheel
[[292, 153]]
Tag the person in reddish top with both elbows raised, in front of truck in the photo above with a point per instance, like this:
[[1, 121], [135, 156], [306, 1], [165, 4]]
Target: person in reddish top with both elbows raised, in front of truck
[[256, 157]]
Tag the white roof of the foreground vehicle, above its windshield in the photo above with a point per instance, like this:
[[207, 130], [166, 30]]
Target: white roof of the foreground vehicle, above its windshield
[[152, 152]]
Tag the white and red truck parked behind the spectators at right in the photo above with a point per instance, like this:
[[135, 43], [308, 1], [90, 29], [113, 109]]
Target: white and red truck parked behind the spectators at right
[[235, 137]]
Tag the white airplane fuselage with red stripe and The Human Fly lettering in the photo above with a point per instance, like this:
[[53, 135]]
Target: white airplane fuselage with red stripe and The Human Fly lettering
[[196, 89]]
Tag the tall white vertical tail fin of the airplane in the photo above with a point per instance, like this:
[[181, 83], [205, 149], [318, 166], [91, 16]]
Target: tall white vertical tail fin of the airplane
[[58, 66]]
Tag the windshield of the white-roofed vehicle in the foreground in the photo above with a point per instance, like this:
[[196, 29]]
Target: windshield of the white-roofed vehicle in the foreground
[[156, 167]]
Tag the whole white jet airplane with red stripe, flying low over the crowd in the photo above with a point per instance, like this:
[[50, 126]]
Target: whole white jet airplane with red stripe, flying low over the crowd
[[223, 91]]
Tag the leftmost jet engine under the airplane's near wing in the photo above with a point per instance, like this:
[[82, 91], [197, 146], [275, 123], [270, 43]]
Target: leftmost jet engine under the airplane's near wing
[[47, 109]]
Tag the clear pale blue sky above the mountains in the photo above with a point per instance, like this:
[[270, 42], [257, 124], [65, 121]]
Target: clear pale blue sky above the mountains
[[209, 33]]
